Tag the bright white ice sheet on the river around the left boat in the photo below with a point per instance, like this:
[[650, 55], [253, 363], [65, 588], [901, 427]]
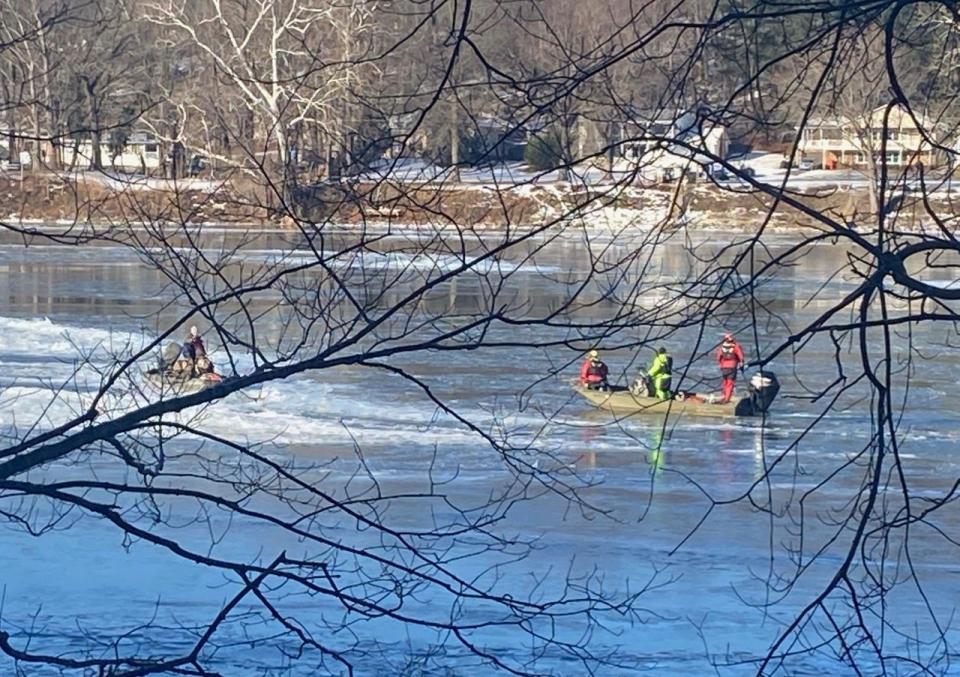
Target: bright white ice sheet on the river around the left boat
[[39, 356]]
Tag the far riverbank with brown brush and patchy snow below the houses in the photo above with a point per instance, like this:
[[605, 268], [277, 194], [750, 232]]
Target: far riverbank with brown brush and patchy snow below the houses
[[50, 205]]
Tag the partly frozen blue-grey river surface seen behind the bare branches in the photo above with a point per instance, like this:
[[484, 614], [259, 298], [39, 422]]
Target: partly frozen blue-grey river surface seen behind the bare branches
[[718, 595]]
